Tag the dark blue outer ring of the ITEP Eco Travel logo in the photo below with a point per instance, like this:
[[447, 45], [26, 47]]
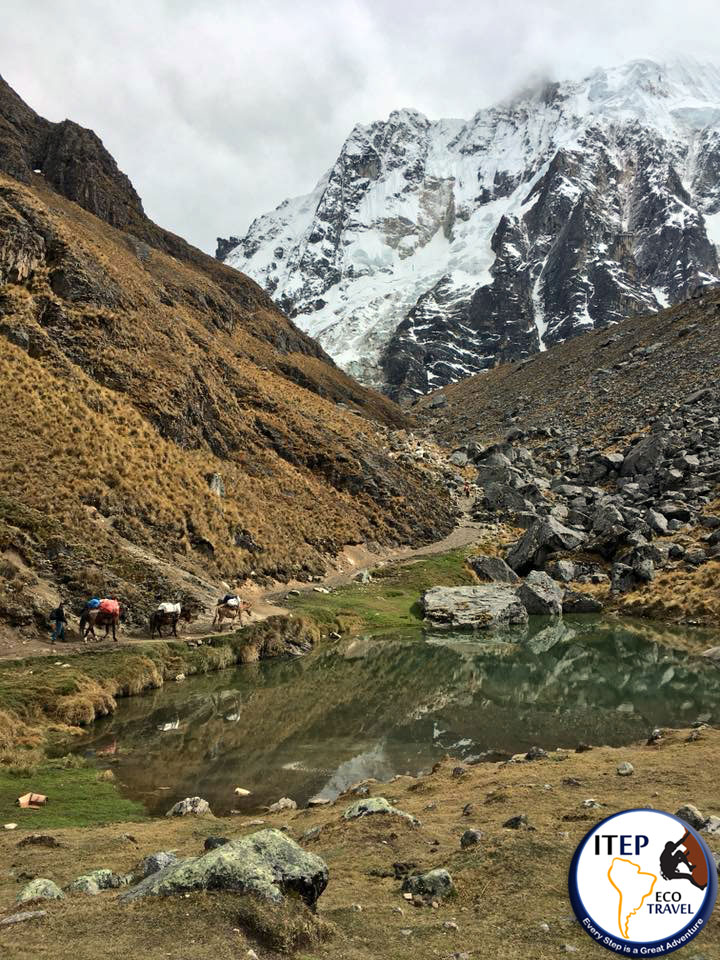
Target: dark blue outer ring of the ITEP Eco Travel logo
[[702, 915]]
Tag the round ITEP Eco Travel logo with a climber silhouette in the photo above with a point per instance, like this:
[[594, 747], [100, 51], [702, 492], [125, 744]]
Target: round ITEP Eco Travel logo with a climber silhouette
[[643, 883]]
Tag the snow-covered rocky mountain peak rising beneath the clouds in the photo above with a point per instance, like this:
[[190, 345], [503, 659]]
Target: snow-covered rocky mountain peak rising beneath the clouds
[[431, 250]]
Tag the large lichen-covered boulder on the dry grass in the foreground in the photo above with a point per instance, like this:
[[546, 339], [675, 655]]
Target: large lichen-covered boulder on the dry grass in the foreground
[[267, 864]]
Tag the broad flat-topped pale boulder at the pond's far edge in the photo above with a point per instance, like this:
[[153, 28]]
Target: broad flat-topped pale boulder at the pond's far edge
[[482, 607]]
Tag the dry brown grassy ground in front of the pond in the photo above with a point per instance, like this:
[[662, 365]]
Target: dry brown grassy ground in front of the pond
[[511, 900]]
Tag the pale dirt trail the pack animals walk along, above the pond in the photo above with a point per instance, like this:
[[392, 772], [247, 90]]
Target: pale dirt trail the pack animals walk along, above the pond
[[266, 601]]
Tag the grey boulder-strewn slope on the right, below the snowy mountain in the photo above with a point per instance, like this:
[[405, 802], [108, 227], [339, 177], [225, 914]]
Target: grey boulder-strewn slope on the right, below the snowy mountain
[[606, 451]]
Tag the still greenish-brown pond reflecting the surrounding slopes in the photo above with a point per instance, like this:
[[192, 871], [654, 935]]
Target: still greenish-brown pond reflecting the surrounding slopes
[[378, 706]]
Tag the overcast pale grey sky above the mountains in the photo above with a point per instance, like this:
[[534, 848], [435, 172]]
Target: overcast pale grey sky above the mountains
[[220, 109]]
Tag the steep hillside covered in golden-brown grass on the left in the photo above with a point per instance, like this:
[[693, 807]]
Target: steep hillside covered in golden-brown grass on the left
[[164, 426]]
